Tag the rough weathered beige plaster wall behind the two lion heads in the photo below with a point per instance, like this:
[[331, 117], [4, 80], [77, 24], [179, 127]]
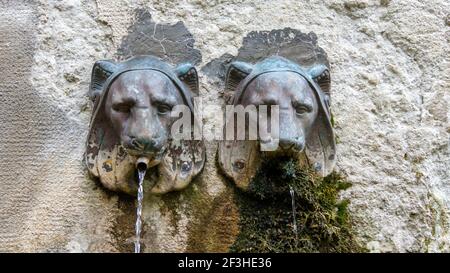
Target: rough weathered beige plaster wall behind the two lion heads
[[390, 92]]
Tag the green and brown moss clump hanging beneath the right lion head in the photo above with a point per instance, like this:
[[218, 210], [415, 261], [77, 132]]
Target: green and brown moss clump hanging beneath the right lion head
[[266, 220]]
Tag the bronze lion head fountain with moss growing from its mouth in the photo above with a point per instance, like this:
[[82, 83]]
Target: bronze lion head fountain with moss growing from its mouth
[[305, 131]]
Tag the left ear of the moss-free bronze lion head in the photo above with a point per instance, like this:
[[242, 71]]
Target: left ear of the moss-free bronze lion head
[[100, 73]]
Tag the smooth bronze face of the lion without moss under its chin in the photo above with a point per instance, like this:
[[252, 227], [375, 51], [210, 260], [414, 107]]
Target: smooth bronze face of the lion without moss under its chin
[[139, 105]]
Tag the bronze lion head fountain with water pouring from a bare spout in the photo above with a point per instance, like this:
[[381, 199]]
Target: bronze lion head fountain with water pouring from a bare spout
[[131, 119]]
